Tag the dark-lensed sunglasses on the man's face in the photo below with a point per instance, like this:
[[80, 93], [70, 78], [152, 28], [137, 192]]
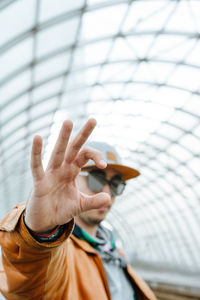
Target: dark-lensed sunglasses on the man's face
[[96, 181]]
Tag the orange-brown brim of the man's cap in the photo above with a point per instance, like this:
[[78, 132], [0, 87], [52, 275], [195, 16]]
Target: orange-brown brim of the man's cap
[[127, 172]]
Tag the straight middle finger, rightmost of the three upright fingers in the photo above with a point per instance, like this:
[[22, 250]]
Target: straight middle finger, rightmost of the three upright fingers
[[79, 140]]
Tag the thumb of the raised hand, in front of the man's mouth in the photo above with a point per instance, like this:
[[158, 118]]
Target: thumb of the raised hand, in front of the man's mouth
[[95, 201]]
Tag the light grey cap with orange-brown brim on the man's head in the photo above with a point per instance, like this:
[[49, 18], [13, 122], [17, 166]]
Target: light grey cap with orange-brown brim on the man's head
[[113, 160]]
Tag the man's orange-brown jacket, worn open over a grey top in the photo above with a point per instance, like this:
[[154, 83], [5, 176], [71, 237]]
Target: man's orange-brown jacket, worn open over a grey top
[[67, 269]]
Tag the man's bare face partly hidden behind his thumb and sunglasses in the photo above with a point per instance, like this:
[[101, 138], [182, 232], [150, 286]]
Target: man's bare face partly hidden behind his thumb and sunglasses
[[95, 216]]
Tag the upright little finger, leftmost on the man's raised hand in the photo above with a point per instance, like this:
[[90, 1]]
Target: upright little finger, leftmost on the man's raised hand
[[36, 159]]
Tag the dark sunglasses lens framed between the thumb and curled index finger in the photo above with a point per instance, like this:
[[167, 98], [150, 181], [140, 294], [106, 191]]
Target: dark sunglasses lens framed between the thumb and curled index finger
[[96, 180]]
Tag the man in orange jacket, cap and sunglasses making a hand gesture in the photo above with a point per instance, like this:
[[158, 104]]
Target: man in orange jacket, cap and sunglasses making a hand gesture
[[41, 259]]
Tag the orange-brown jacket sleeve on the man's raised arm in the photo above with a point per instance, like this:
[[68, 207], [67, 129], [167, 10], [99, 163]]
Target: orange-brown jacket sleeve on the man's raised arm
[[25, 263]]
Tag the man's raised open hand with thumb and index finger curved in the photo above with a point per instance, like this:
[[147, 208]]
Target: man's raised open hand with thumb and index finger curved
[[56, 199]]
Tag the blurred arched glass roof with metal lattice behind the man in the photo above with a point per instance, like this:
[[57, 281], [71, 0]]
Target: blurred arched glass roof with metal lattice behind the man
[[135, 67]]
